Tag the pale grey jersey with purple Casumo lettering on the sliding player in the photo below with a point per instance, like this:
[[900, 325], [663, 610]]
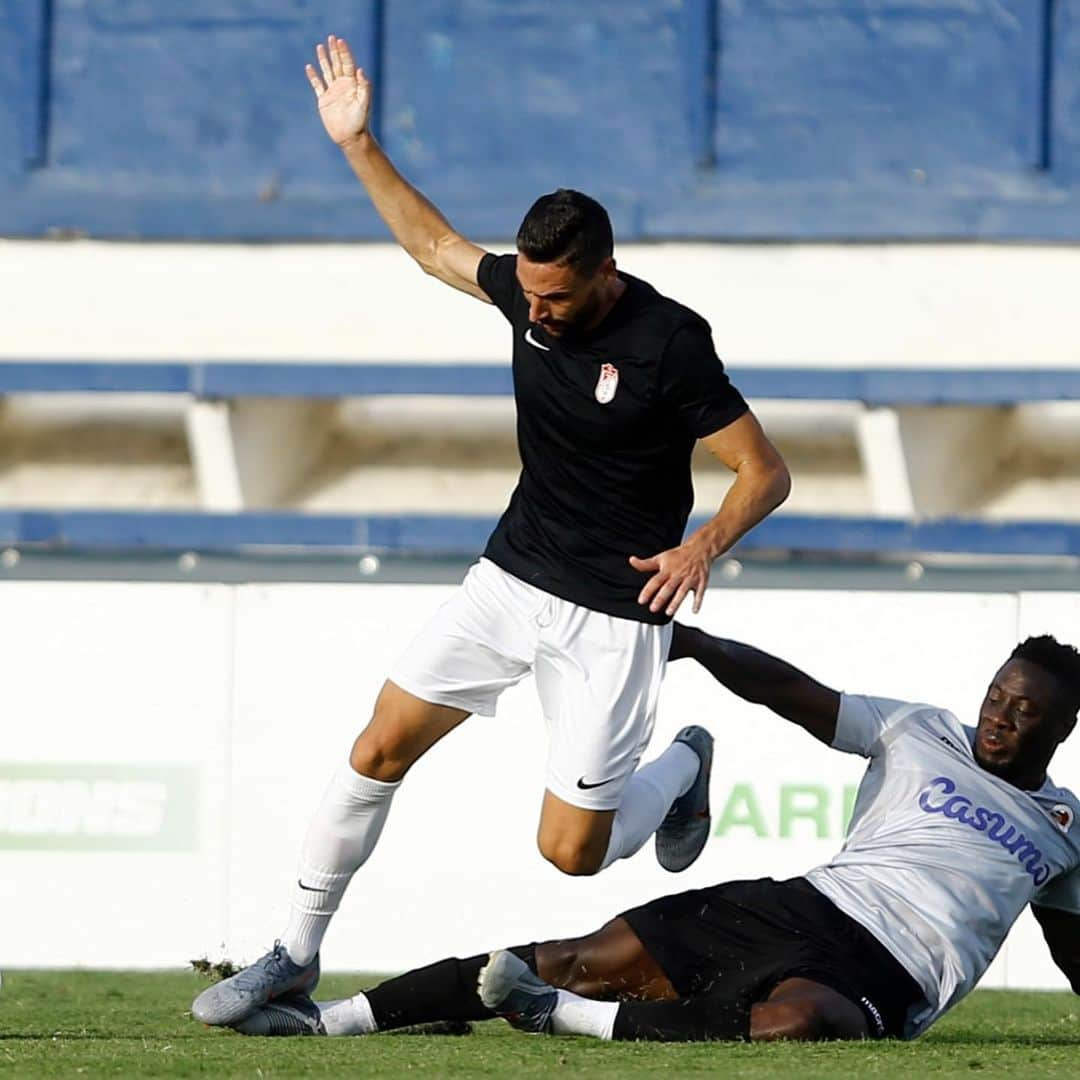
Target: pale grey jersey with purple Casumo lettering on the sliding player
[[941, 856]]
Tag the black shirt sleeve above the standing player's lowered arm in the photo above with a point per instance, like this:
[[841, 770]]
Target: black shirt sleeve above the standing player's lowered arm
[[695, 384]]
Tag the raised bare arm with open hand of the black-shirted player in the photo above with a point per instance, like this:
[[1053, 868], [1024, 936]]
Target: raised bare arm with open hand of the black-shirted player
[[344, 94]]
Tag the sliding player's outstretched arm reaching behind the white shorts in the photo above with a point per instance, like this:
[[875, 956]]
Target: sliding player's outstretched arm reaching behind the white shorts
[[757, 677]]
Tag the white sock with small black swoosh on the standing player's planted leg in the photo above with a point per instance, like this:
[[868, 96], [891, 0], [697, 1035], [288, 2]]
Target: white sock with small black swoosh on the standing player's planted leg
[[342, 836]]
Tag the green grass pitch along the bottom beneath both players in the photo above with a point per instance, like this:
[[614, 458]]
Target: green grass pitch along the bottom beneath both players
[[93, 1024]]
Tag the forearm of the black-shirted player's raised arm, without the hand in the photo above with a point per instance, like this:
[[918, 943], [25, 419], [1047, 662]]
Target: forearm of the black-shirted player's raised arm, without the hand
[[415, 222]]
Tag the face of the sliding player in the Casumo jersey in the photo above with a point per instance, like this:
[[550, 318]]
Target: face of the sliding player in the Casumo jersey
[[1021, 723]]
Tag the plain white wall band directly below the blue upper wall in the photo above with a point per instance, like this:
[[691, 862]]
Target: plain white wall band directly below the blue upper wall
[[832, 305]]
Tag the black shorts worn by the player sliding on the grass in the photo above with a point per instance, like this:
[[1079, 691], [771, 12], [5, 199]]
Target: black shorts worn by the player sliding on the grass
[[733, 944]]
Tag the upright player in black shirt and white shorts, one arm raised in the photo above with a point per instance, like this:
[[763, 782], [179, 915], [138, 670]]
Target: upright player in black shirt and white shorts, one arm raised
[[614, 385]]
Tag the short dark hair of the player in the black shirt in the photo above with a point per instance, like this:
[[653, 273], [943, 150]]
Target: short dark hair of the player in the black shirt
[[568, 227]]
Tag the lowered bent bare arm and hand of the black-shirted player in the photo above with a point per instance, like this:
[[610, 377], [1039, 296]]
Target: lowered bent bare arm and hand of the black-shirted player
[[762, 484]]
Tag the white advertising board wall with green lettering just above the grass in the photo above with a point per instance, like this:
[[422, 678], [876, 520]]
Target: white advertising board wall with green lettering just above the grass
[[117, 696]]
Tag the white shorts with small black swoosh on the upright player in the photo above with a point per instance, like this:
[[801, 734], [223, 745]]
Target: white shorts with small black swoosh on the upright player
[[599, 678]]
